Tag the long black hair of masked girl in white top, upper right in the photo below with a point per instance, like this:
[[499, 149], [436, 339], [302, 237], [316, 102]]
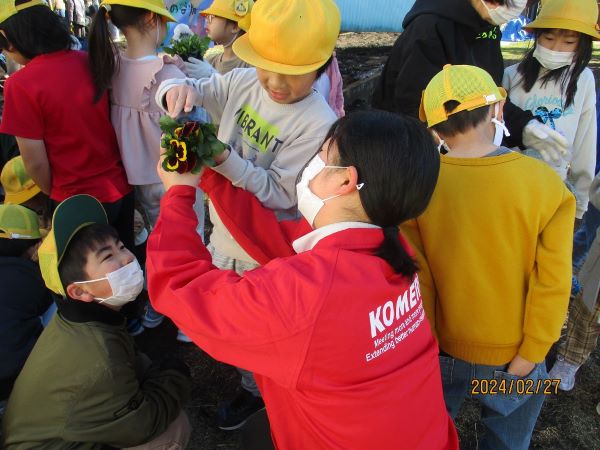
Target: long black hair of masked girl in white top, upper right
[[529, 69]]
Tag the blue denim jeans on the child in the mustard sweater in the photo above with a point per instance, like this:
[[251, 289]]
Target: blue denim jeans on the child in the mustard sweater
[[509, 418]]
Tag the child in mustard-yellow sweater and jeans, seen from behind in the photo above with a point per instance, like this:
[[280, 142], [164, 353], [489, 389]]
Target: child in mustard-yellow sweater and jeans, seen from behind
[[495, 257]]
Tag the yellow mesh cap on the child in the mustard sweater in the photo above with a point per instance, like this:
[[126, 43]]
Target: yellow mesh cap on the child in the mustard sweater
[[470, 86]]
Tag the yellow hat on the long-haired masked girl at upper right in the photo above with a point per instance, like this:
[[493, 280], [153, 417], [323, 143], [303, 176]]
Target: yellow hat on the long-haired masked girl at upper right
[[578, 15]]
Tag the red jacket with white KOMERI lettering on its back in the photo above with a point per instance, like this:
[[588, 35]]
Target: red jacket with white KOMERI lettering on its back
[[338, 342]]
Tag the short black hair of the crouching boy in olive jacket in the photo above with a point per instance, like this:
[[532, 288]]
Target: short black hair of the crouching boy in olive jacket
[[75, 256]]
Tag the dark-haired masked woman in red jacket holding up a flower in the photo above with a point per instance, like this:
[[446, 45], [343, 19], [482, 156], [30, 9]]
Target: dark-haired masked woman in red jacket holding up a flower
[[336, 334]]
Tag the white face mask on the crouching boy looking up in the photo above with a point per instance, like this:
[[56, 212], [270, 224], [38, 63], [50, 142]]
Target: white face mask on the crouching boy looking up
[[126, 284]]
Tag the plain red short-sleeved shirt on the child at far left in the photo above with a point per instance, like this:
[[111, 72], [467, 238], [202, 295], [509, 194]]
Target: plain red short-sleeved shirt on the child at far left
[[51, 99]]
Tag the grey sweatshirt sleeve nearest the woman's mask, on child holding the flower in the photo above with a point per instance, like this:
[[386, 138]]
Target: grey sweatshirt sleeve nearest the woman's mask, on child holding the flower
[[274, 187]]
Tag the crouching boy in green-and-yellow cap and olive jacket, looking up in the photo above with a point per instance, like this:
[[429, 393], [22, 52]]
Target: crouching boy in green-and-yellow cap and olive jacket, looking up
[[84, 384]]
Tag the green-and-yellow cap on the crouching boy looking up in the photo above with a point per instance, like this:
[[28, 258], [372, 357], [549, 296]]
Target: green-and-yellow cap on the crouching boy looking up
[[70, 216]]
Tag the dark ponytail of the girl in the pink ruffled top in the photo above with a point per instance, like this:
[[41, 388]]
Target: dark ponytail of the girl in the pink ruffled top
[[102, 51]]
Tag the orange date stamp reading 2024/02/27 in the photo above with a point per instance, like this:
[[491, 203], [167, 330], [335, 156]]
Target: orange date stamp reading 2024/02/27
[[521, 386]]
